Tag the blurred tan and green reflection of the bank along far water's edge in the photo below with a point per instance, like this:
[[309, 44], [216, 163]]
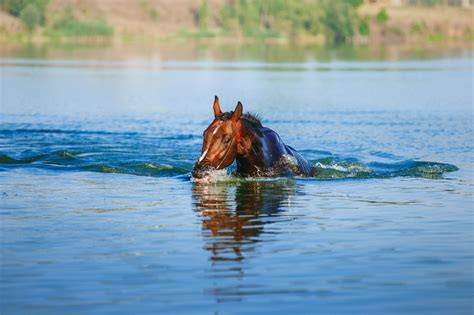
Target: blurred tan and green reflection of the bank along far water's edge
[[202, 50]]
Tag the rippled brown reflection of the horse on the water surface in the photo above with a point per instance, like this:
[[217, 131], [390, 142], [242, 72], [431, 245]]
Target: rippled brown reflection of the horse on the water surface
[[233, 216]]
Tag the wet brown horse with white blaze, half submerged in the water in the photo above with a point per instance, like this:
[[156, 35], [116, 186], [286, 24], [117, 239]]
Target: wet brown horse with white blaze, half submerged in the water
[[259, 151]]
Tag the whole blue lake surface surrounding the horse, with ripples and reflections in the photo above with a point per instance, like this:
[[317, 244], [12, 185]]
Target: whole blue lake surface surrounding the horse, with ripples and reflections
[[98, 214]]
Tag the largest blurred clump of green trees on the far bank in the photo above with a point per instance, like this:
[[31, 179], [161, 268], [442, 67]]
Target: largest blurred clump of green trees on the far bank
[[336, 19]]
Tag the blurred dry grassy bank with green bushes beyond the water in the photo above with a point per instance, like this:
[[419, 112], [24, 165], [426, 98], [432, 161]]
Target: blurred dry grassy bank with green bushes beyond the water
[[218, 21]]
